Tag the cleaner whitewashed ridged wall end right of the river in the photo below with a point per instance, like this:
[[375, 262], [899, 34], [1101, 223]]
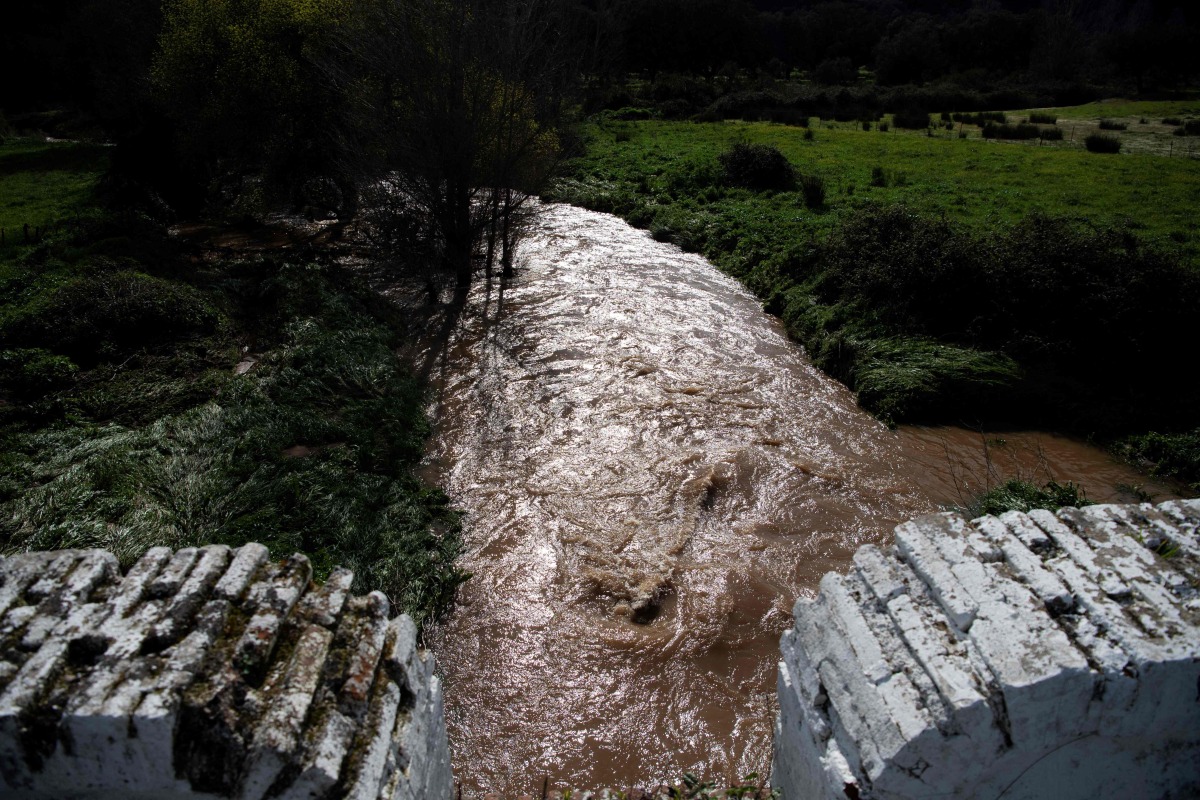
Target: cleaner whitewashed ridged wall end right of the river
[[1024, 657]]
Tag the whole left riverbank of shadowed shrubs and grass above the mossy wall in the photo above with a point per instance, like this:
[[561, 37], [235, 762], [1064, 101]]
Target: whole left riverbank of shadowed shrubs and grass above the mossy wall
[[124, 425]]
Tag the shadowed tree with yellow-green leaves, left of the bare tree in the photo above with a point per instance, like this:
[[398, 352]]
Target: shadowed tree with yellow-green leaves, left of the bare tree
[[241, 80]]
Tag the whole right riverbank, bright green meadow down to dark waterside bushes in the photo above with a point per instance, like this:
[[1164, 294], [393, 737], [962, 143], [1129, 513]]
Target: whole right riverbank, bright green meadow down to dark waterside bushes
[[943, 279]]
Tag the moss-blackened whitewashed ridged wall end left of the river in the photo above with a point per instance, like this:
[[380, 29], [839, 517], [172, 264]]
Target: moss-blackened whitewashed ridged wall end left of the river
[[211, 673]]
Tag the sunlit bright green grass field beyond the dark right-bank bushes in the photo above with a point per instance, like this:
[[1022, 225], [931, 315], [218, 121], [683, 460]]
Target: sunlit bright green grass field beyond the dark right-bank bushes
[[975, 182]]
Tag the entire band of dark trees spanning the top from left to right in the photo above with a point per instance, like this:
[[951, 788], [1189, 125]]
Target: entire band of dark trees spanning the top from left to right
[[447, 115]]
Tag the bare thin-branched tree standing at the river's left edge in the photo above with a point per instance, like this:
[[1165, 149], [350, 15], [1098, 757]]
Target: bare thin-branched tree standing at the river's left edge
[[455, 104]]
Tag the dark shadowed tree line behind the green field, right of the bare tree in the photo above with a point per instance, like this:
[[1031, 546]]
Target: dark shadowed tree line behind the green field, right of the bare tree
[[975, 44]]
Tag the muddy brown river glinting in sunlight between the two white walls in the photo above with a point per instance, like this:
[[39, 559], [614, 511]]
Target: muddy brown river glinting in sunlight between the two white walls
[[652, 476]]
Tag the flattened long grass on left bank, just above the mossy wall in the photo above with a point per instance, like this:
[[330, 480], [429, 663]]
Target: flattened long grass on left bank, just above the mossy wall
[[309, 453]]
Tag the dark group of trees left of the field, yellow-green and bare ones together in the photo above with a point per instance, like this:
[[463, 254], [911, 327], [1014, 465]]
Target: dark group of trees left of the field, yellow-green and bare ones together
[[443, 115]]
